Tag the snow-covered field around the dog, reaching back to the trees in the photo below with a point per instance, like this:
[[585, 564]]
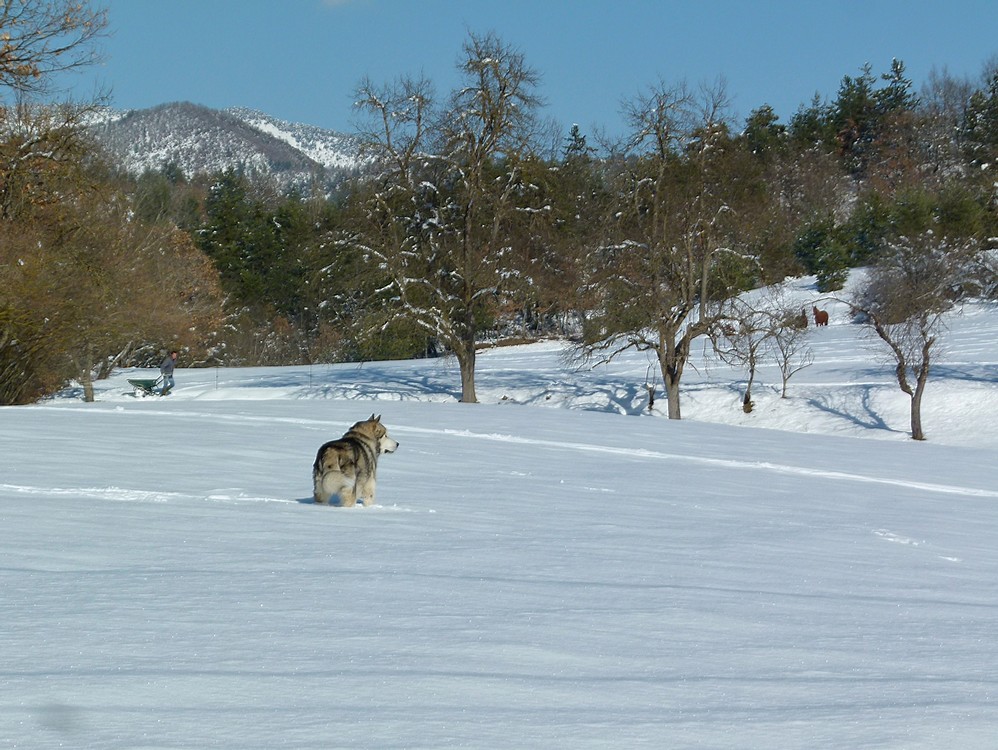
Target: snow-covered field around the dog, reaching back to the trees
[[584, 575]]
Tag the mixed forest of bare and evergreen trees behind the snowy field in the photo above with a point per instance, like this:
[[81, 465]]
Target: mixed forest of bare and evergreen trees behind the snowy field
[[480, 221]]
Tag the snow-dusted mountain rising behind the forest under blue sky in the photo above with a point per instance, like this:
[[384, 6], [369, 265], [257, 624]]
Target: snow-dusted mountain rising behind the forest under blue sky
[[201, 140]]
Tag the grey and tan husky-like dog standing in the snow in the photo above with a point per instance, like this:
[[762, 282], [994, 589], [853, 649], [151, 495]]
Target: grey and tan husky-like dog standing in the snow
[[347, 467]]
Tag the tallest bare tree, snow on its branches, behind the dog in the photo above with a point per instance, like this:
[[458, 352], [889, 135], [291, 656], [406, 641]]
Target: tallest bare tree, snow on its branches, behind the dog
[[444, 221]]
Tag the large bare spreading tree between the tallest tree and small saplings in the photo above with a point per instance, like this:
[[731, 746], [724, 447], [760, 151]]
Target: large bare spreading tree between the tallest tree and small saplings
[[674, 257]]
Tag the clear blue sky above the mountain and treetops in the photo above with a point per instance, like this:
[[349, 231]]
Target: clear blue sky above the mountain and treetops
[[301, 60]]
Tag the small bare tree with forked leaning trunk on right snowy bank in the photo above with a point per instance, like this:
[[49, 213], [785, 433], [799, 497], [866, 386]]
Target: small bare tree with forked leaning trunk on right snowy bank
[[910, 289]]
